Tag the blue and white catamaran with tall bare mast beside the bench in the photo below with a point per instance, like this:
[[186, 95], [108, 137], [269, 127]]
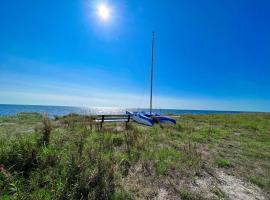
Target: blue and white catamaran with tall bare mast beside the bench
[[151, 118]]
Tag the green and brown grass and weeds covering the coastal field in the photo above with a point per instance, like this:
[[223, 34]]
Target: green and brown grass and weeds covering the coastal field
[[70, 158]]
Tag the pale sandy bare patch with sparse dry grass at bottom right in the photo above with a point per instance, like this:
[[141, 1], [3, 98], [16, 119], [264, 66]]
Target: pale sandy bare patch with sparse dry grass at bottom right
[[215, 185]]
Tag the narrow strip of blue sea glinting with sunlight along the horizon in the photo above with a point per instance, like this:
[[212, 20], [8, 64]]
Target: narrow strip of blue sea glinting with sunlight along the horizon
[[7, 110]]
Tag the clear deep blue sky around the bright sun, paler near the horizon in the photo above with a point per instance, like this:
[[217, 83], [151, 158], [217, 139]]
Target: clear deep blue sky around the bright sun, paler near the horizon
[[208, 54]]
